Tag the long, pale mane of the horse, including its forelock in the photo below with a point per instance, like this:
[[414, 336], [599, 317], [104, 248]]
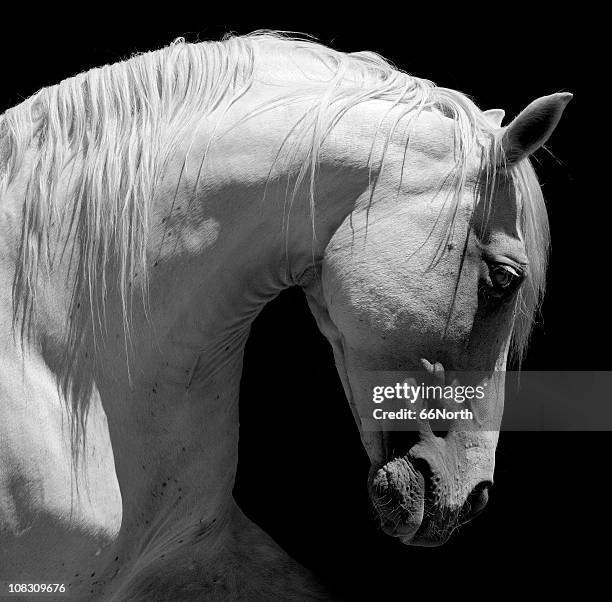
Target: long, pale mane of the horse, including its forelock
[[113, 130]]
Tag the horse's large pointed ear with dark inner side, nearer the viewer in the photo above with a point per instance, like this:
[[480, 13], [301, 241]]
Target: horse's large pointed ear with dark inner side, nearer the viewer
[[533, 126]]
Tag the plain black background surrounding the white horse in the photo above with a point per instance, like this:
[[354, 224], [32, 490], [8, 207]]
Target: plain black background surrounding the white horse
[[302, 471]]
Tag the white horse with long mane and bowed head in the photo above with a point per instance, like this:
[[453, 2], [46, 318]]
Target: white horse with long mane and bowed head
[[151, 208]]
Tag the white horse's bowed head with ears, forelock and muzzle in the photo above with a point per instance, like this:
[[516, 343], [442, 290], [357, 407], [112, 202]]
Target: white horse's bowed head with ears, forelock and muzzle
[[438, 274]]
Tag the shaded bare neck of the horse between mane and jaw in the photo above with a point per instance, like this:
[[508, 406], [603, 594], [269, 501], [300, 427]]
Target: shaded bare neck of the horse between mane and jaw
[[173, 420]]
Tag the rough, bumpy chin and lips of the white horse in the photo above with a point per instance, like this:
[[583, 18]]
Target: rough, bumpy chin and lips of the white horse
[[400, 494]]
